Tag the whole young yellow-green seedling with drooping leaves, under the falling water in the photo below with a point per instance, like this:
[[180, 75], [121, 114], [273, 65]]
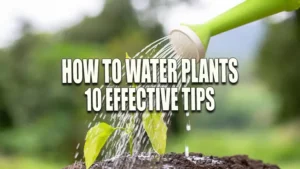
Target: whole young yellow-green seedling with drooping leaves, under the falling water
[[98, 135]]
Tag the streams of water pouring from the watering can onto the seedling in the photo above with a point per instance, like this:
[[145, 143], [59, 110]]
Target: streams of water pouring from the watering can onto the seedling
[[117, 144]]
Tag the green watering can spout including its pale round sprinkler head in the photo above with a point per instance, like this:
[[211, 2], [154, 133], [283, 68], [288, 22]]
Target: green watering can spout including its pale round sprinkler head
[[244, 13]]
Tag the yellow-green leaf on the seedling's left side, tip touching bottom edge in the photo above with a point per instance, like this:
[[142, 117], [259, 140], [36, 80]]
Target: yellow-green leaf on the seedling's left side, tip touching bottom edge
[[95, 140]]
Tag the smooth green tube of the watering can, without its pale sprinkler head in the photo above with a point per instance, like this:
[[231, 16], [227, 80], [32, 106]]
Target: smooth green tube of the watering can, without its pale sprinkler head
[[249, 11]]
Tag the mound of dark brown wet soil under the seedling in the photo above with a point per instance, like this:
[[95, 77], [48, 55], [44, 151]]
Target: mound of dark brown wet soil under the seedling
[[177, 161]]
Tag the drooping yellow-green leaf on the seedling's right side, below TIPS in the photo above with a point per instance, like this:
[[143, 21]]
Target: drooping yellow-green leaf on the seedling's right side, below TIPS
[[156, 130]]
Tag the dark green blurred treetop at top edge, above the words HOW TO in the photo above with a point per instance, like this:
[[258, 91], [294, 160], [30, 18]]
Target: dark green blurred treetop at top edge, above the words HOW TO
[[116, 17]]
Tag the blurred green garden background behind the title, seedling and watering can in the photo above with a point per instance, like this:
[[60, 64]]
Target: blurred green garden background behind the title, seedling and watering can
[[42, 121]]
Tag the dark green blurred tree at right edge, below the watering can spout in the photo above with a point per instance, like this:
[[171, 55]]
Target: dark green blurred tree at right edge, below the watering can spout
[[278, 65]]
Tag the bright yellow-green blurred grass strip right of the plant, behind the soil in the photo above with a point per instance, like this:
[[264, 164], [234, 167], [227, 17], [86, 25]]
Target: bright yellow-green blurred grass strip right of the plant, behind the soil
[[274, 147]]
